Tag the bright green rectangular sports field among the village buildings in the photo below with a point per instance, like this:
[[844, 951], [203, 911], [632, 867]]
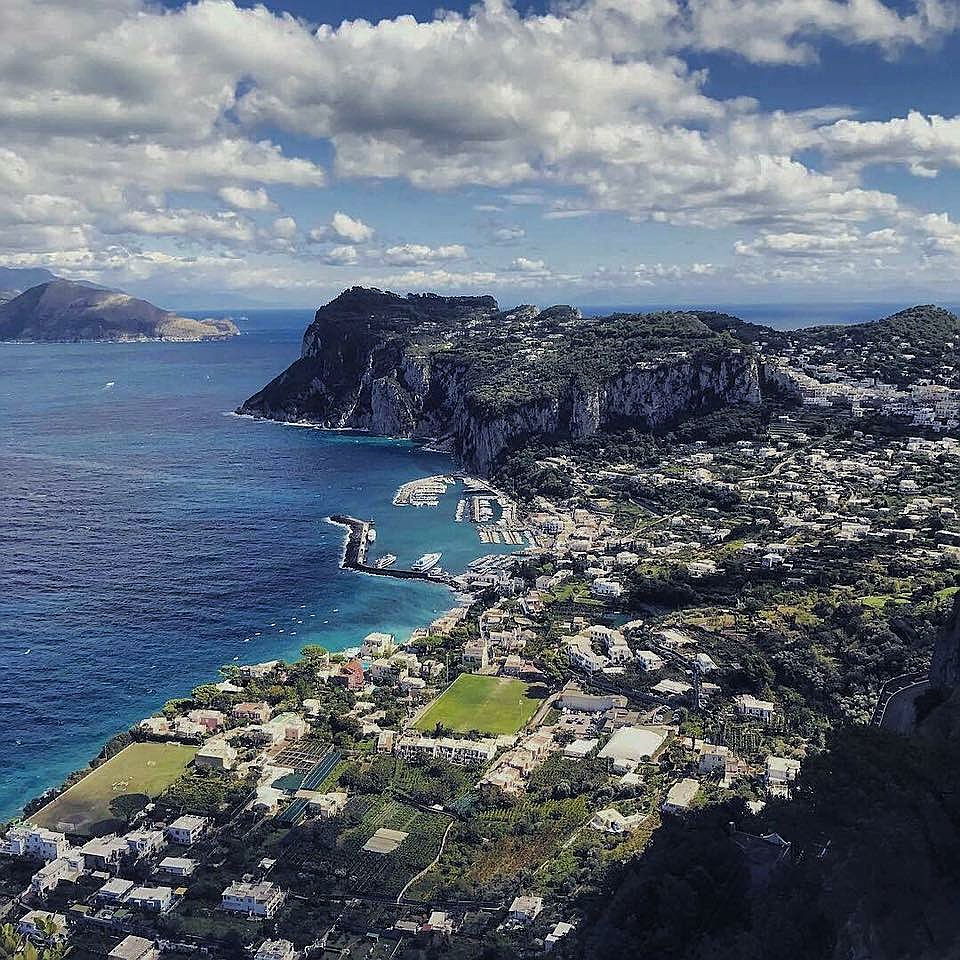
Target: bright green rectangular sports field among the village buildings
[[488, 704]]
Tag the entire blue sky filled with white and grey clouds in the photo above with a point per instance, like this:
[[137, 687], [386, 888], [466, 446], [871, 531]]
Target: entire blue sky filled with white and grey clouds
[[222, 153]]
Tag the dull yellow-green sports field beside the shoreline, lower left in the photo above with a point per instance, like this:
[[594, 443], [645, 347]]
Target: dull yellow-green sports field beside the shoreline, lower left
[[141, 768]]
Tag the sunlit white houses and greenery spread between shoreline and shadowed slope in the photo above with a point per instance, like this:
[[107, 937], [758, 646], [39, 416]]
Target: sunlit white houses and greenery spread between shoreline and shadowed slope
[[684, 630]]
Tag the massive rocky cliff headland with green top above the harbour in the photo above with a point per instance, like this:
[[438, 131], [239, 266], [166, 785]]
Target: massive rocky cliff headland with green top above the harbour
[[461, 369]]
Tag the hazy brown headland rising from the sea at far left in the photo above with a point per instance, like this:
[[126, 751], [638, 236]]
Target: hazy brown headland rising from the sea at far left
[[59, 310]]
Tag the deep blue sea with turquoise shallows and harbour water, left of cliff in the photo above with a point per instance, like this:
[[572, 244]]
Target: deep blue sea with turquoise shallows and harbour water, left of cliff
[[145, 533]]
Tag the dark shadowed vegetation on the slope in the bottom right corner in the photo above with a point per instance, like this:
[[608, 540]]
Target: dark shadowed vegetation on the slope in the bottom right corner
[[874, 868]]
